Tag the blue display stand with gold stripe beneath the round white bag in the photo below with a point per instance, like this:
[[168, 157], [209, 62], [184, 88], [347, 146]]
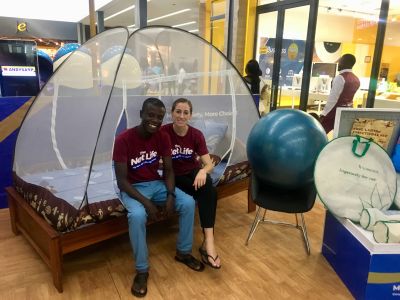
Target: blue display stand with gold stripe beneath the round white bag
[[368, 269]]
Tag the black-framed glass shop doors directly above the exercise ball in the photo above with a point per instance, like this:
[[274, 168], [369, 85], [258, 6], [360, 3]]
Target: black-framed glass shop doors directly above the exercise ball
[[282, 48]]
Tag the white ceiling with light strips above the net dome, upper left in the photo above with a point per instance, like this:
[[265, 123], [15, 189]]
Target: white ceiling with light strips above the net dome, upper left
[[78, 11]]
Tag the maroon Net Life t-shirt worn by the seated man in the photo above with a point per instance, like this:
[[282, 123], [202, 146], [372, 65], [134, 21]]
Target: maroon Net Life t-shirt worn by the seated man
[[141, 155]]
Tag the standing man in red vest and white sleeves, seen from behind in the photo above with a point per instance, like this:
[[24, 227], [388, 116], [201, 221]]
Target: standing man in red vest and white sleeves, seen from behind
[[344, 87]]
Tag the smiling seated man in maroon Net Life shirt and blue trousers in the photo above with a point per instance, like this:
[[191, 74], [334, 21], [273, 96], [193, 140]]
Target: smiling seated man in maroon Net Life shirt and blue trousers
[[136, 156]]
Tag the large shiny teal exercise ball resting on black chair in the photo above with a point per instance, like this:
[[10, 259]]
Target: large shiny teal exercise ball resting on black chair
[[283, 146]]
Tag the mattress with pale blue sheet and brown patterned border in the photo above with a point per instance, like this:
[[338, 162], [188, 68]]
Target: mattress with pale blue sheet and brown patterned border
[[61, 197]]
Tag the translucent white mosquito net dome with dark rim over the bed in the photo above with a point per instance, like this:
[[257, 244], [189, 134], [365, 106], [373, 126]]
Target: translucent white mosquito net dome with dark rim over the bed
[[66, 140]]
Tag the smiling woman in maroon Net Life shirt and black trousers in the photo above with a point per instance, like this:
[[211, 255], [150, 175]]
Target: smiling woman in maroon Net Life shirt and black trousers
[[192, 176]]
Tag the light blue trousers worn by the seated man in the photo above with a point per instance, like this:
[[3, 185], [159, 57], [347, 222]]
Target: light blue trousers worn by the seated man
[[137, 217]]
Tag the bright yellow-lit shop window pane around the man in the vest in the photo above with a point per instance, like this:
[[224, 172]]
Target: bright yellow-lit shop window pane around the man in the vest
[[343, 28]]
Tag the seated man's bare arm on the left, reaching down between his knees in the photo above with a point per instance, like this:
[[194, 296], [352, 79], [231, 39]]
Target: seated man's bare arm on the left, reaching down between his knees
[[121, 172]]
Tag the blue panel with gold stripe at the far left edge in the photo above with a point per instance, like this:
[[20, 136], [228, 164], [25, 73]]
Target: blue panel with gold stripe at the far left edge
[[8, 106]]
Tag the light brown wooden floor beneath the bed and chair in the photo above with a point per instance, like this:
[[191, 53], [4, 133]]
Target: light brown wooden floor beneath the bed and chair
[[274, 265]]
